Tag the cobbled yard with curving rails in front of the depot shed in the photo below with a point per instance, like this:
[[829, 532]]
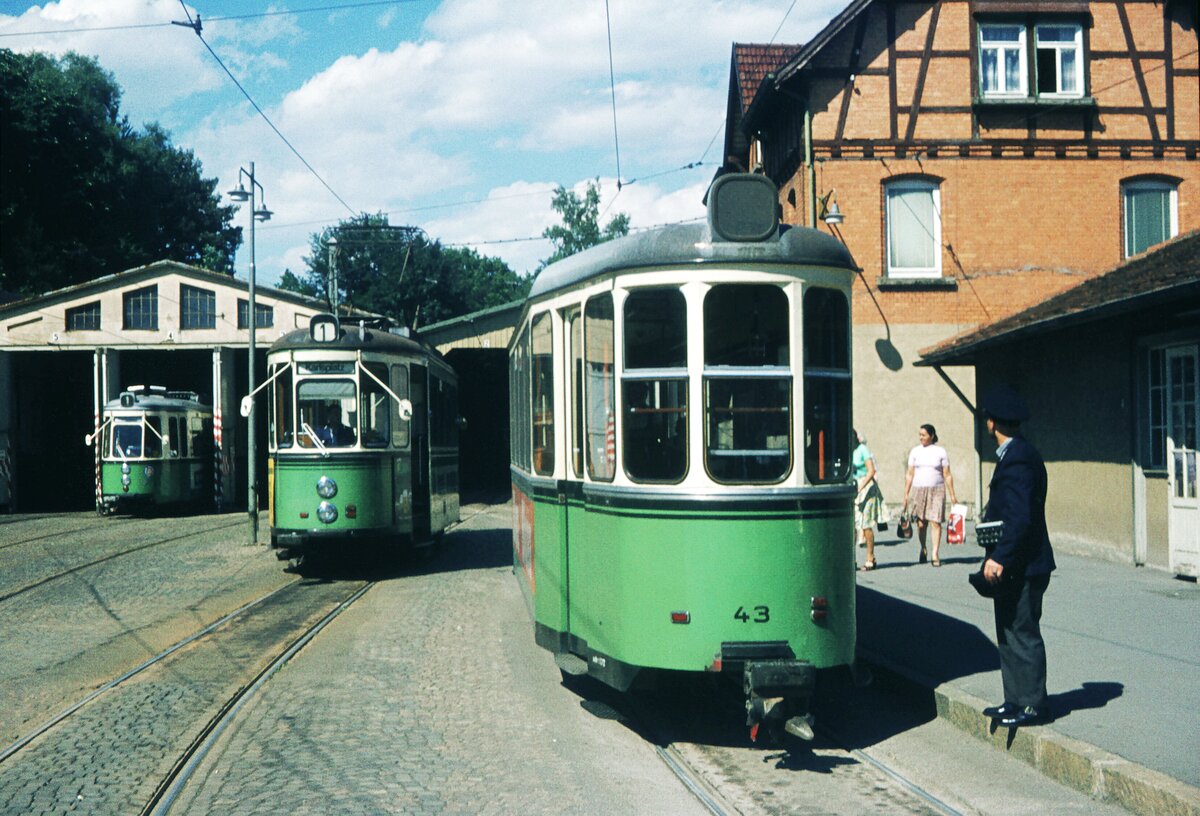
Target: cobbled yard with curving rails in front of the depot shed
[[68, 637]]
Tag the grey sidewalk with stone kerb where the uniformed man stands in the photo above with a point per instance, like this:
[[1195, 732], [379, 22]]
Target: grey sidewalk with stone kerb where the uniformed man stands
[[1124, 653]]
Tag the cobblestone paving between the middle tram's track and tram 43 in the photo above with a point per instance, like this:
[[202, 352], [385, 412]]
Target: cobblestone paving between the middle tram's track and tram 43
[[429, 697]]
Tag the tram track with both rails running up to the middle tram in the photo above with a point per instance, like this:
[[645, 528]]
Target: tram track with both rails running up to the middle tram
[[158, 722]]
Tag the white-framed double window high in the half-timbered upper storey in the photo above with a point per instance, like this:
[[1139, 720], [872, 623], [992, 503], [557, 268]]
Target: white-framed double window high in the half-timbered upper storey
[[1004, 61]]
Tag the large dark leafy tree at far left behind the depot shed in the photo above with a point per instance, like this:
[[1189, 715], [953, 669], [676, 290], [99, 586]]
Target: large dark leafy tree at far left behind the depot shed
[[83, 194]]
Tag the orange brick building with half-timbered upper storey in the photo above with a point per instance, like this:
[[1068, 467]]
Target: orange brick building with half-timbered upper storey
[[987, 155]]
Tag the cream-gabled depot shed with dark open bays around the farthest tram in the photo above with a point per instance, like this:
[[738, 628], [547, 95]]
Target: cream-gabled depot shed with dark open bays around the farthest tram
[[67, 353]]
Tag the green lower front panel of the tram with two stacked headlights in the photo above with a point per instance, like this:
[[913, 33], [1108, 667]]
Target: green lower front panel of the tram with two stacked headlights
[[368, 482]]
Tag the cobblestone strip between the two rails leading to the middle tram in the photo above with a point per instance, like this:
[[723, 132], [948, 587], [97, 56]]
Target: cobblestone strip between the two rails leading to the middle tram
[[111, 757]]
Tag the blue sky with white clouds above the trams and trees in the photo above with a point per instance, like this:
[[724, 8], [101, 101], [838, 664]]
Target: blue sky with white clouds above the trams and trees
[[457, 116]]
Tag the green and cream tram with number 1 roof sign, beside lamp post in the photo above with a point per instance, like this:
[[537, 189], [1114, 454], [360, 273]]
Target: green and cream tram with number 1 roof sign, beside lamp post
[[363, 439]]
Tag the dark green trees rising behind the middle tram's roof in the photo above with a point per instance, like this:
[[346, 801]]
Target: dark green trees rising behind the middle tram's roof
[[404, 274]]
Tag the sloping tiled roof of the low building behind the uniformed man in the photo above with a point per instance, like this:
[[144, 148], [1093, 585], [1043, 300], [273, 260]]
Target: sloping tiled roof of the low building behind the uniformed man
[[1163, 274]]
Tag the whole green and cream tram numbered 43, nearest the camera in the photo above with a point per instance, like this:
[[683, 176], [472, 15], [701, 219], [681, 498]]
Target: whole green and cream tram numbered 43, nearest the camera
[[681, 449]]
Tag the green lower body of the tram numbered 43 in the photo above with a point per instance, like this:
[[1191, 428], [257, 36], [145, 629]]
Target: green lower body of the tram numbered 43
[[613, 578]]
